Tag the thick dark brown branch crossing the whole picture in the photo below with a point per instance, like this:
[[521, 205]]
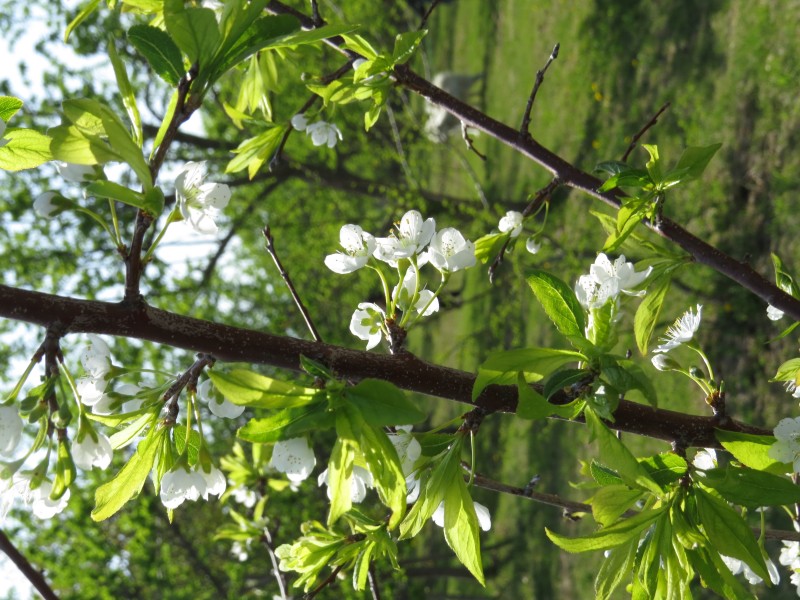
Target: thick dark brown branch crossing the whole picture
[[232, 344]]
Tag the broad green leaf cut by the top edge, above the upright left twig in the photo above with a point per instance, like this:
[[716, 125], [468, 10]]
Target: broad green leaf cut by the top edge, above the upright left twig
[[194, 30]]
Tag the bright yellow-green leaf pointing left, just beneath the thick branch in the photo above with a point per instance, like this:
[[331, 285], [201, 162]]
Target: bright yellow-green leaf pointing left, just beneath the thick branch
[[246, 388]]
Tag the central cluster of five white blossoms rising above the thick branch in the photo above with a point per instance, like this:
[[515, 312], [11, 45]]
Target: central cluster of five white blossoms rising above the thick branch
[[415, 241]]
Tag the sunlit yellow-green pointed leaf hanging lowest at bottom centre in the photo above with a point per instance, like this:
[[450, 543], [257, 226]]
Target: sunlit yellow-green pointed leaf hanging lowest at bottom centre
[[461, 527]]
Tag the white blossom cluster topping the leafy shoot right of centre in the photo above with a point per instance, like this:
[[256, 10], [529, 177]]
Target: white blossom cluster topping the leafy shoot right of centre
[[606, 280]]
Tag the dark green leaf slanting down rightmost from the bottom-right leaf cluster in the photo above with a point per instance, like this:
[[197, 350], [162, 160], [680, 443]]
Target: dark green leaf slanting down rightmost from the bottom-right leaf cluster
[[728, 532]]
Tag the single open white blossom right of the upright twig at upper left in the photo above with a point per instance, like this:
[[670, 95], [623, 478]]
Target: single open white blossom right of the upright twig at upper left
[[200, 202]]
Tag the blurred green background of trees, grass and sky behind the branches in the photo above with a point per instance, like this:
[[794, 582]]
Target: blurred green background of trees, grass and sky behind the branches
[[729, 72]]
